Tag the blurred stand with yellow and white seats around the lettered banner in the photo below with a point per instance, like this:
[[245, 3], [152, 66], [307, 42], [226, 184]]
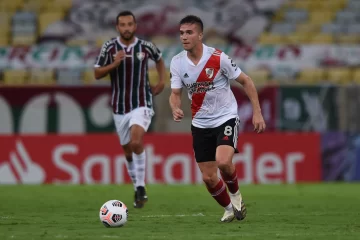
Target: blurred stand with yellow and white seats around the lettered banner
[[28, 23]]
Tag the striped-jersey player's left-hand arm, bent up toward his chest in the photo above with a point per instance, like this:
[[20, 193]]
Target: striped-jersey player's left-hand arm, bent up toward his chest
[[103, 63]]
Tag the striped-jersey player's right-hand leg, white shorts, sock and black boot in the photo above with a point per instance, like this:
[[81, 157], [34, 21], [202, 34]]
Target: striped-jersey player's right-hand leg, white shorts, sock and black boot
[[139, 123]]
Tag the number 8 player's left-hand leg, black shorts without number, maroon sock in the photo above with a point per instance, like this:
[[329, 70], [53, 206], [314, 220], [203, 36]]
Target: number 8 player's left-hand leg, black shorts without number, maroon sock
[[204, 144]]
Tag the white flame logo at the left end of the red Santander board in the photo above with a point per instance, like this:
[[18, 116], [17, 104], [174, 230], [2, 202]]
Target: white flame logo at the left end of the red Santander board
[[20, 168]]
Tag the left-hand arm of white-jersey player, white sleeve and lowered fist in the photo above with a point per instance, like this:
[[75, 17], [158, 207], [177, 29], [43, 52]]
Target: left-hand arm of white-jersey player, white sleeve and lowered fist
[[176, 89]]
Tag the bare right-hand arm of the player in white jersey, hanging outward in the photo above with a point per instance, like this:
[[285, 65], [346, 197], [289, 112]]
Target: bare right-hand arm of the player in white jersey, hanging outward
[[251, 92]]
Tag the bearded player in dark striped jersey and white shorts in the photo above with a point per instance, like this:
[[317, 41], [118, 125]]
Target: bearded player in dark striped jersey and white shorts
[[125, 58]]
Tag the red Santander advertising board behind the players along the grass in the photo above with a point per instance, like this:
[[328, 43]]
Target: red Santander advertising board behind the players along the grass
[[270, 158]]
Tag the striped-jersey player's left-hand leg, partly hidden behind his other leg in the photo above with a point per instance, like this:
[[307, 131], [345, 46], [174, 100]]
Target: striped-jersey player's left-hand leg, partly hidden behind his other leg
[[123, 131]]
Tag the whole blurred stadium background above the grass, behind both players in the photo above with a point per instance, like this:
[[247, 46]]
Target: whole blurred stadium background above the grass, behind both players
[[303, 55]]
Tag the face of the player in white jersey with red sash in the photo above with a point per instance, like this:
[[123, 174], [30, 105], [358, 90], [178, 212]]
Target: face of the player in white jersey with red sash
[[190, 35]]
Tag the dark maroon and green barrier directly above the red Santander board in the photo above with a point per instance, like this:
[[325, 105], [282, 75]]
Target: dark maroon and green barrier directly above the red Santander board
[[81, 110]]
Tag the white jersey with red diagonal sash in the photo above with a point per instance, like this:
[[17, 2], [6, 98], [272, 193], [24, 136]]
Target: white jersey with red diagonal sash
[[208, 85]]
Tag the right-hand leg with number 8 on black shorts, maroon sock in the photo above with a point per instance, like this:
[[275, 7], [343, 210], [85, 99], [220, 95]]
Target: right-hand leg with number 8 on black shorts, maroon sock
[[227, 142]]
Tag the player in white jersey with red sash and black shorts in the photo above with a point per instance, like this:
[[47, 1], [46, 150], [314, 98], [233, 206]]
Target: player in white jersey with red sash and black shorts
[[206, 73]]
